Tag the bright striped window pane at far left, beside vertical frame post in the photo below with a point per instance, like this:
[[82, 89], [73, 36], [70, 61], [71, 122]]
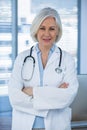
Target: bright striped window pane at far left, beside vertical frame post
[[5, 43]]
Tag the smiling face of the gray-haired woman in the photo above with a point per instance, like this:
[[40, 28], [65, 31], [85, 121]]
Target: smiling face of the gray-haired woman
[[47, 32]]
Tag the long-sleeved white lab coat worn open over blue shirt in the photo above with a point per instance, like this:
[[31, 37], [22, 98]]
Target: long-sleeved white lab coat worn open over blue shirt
[[48, 101]]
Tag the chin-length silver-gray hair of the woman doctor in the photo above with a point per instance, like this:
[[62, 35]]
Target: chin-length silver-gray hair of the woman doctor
[[43, 14]]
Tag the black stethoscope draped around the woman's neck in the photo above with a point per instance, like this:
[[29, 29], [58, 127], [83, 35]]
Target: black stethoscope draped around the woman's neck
[[29, 65]]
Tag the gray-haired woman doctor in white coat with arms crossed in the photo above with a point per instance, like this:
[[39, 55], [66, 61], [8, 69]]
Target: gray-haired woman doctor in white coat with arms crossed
[[44, 81]]
